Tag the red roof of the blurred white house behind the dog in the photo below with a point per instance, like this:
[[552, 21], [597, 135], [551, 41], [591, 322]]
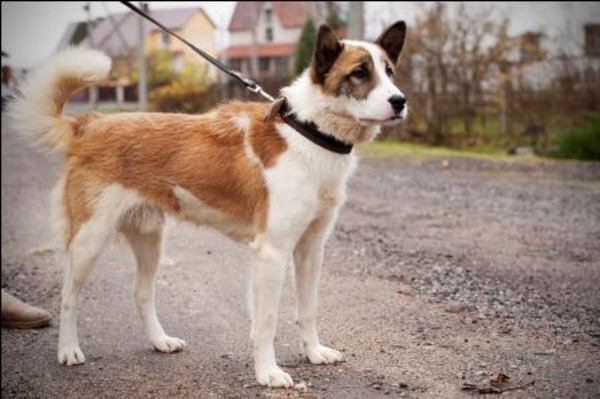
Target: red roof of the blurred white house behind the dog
[[290, 14]]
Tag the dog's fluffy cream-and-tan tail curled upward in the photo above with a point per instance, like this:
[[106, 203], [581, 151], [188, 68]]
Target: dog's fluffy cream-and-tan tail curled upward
[[37, 111]]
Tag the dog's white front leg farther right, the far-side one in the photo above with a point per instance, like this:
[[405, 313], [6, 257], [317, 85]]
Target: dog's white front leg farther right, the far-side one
[[308, 258]]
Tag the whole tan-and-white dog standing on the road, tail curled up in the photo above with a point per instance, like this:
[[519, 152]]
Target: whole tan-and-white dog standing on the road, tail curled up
[[242, 168]]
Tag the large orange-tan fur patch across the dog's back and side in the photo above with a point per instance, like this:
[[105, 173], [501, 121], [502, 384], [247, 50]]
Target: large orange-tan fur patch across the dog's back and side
[[152, 153]]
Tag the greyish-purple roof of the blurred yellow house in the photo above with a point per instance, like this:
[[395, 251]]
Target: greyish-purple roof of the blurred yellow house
[[106, 38]]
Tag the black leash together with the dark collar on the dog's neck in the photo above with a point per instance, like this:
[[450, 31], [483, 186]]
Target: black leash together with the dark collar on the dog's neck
[[307, 129]]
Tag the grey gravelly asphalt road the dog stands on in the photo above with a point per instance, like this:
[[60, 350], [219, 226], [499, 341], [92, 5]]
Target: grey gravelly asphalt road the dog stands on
[[441, 272]]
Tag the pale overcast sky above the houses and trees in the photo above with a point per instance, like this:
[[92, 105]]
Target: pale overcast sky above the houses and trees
[[31, 31]]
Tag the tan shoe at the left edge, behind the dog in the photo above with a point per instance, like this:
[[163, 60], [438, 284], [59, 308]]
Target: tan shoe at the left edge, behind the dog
[[18, 314]]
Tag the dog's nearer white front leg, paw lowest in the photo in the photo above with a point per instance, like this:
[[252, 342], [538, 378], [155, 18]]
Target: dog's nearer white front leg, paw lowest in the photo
[[269, 263]]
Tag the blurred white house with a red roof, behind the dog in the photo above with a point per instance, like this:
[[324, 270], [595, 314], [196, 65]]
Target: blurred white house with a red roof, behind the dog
[[270, 31]]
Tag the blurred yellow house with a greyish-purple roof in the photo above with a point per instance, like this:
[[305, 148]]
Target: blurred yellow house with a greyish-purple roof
[[117, 36]]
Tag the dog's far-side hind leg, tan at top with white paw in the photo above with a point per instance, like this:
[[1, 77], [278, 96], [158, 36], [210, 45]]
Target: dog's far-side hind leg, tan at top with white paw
[[146, 247]]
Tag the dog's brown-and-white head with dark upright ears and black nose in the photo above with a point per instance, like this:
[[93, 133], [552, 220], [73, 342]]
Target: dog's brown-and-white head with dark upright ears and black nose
[[358, 77]]
